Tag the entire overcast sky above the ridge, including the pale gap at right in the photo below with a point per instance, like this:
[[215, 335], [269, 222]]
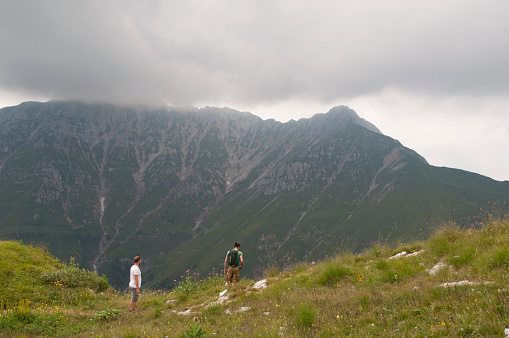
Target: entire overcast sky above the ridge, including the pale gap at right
[[432, 74]]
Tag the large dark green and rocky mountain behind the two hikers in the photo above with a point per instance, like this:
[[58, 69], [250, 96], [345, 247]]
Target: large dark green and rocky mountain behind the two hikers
[[103, 183]]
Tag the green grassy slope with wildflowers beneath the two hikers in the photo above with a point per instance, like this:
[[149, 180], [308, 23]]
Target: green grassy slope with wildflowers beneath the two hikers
[[359, 295]]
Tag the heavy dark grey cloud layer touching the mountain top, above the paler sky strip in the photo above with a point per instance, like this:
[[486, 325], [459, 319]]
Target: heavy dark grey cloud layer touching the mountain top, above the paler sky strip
[[252, 52]]
